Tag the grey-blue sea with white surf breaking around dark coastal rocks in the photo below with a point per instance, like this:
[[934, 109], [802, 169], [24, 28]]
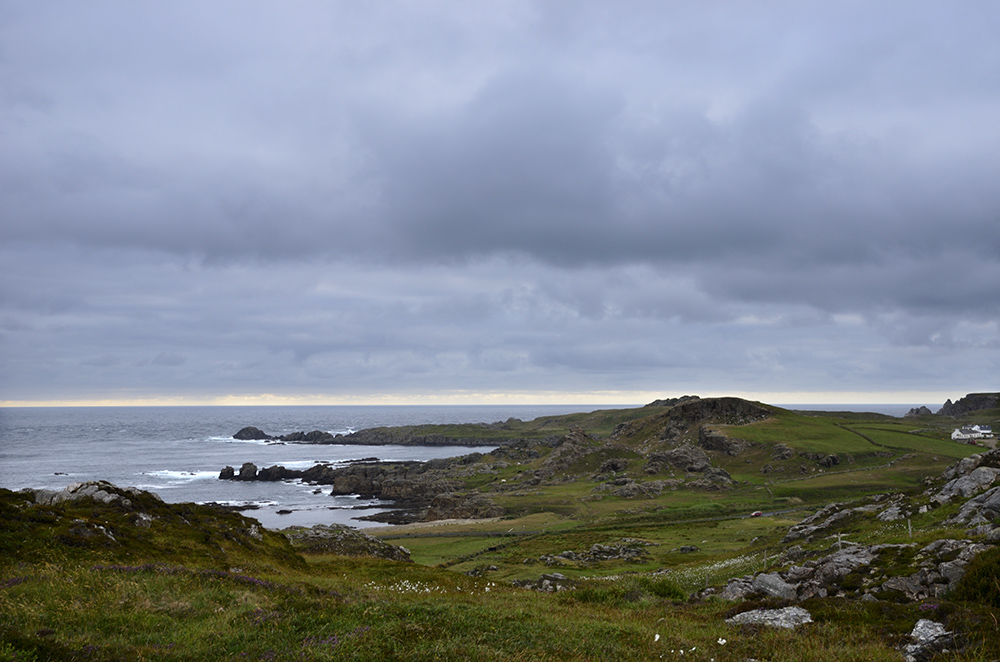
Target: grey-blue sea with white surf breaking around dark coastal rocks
[[178, 452]]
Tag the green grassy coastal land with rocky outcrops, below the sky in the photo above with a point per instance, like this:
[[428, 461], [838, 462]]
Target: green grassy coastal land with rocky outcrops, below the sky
[[627, 534]]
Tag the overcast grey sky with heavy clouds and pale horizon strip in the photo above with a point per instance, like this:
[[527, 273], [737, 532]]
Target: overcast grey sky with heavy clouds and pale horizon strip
[[493, 201]]
